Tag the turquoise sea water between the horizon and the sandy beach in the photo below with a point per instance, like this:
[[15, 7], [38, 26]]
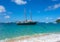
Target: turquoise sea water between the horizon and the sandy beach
[[13, 30]]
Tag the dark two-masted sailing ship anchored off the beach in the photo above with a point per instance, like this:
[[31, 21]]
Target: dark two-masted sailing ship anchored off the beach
[[26, 22]]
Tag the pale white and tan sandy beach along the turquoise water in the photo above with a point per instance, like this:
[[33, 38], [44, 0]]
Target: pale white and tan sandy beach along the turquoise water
[[36, 38]]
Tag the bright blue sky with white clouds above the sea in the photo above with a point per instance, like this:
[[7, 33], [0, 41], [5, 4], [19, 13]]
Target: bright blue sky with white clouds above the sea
[[42, 10]]
